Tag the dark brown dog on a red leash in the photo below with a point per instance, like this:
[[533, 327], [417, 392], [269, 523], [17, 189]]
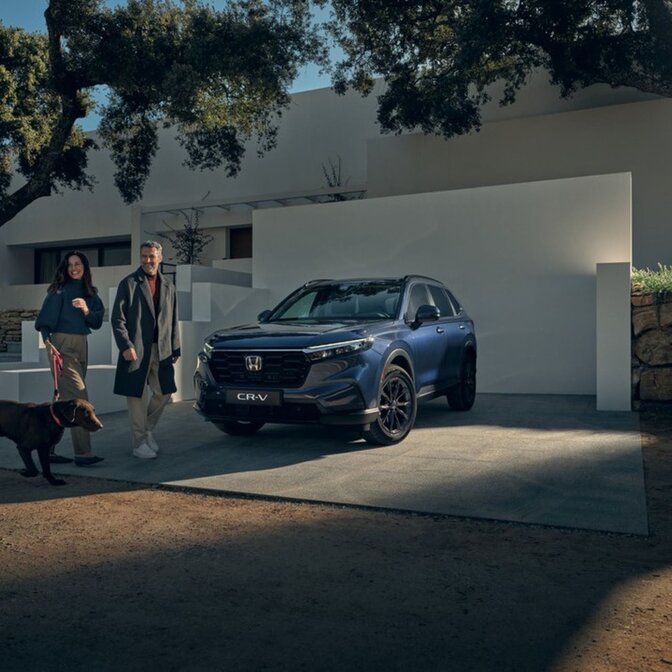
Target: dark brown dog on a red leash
[[40, 426]]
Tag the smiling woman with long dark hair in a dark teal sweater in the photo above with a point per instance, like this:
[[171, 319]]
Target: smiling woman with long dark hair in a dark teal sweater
[[70, 310]]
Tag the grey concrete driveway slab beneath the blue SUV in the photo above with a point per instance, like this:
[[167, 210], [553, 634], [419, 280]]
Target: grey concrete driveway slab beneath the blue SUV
[[549, 460]]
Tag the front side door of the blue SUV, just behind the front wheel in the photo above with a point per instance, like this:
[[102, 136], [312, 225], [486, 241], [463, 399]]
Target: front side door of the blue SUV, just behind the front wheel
[[427, 341]]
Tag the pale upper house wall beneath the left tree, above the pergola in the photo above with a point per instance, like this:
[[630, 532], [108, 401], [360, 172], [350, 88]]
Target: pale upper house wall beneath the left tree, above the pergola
[[318, 125]]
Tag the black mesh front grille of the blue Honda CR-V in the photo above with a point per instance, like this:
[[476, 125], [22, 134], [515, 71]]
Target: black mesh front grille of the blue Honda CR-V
[[282, 368]]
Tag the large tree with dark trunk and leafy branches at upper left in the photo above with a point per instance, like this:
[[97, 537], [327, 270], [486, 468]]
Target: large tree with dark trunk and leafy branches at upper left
[[219, 78]]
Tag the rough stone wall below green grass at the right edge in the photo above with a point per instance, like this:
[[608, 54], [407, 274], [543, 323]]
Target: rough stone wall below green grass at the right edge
[[651, 349]]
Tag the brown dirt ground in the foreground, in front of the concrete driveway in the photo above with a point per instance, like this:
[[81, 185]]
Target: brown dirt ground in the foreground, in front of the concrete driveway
[[109, 576]]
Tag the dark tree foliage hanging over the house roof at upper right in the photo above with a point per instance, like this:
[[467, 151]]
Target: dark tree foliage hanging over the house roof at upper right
[[438, 58]]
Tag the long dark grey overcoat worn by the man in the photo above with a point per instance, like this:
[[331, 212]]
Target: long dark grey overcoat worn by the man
[[133, 322]]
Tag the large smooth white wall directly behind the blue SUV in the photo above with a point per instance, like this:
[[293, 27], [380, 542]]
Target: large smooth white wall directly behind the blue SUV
[[522, 258]]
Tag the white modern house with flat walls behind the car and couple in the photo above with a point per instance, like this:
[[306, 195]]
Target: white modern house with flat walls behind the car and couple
[[534, 223]]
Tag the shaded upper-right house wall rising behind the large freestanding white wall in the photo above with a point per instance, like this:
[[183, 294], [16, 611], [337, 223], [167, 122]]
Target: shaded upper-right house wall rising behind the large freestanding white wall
[[635, 138]]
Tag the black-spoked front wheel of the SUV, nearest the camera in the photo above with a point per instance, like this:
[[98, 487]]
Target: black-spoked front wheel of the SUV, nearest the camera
[[398, 406]]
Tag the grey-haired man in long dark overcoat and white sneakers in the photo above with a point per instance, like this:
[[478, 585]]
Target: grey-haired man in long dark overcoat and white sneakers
[[144, 323]]
